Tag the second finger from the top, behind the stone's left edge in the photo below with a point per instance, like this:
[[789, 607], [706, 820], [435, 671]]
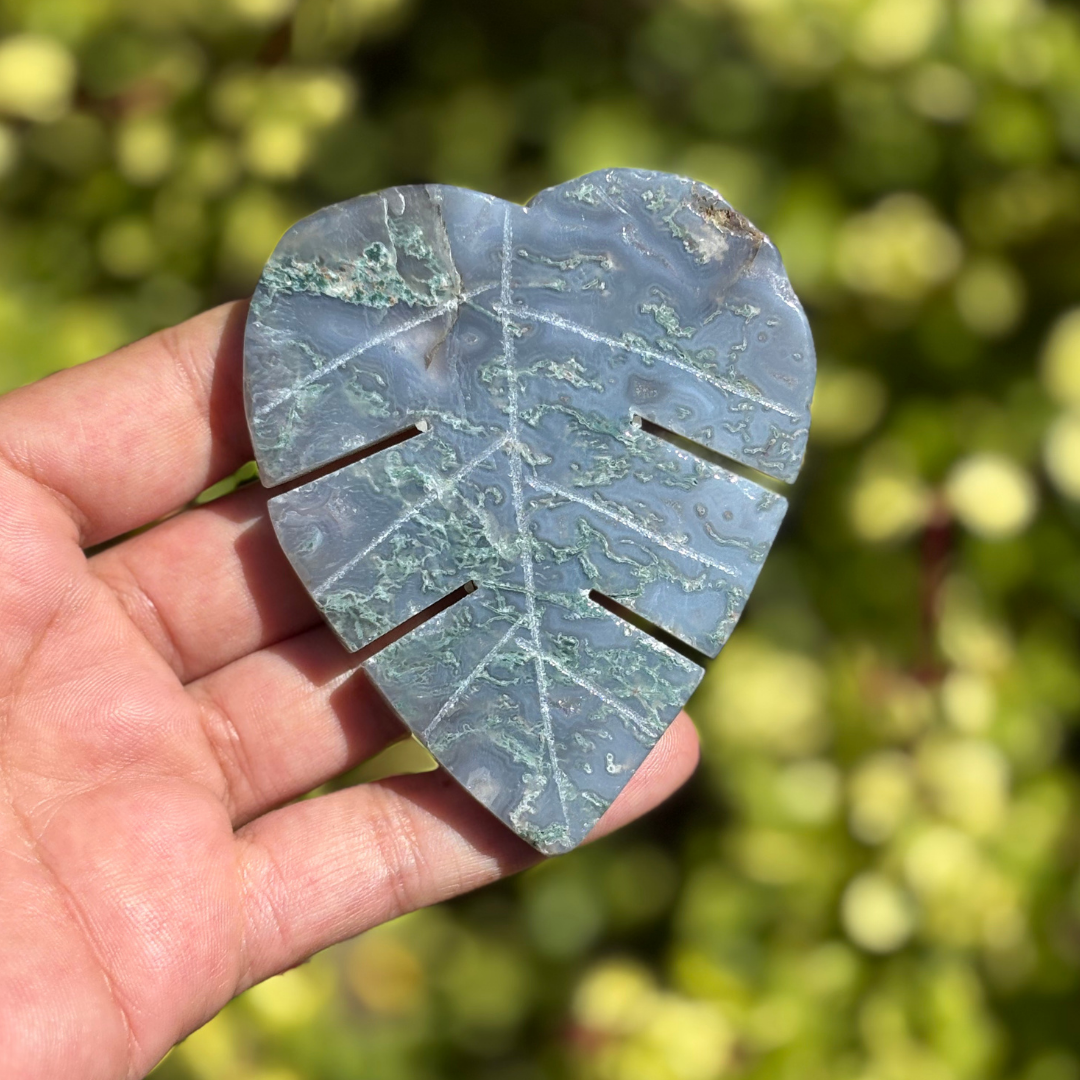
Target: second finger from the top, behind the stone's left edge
[[210, 586]]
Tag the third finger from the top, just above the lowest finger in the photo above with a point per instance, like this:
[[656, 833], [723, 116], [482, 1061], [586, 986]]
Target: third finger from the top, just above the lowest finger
[[287, 720]]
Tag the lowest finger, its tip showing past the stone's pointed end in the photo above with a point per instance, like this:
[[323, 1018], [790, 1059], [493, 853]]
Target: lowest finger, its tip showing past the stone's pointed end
[[320, 871]]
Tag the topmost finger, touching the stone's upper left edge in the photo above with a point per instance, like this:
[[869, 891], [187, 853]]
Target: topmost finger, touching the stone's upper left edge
[[126, 439]]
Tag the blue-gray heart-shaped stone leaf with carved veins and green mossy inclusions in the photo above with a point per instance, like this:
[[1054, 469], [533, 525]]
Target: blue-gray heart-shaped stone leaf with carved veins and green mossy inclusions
[[529, 345]]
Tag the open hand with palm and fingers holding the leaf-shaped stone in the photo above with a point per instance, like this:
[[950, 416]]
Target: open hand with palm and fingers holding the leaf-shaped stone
[[161, 703]]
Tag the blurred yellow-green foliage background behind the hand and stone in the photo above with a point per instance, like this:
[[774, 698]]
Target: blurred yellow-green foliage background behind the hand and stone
[[876, 873]]
